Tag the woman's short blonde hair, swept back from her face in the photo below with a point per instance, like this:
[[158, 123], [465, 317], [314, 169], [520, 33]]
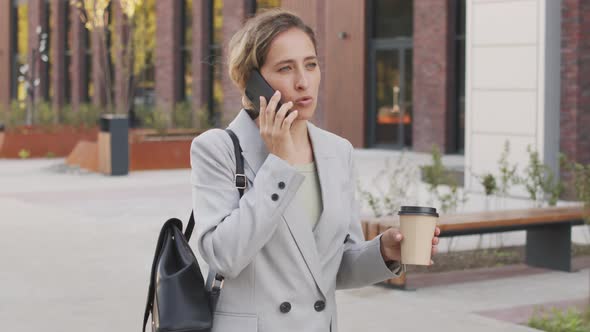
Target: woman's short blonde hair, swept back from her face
[[249, 46]]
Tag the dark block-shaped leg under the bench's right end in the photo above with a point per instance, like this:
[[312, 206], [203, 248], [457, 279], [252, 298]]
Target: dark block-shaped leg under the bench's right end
[[549, 247]]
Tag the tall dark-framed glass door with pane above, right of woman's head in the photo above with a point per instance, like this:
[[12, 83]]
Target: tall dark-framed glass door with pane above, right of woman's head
[[391, 73]]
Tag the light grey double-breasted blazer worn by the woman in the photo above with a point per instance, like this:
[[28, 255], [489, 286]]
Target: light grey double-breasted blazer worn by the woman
[[280, 274]]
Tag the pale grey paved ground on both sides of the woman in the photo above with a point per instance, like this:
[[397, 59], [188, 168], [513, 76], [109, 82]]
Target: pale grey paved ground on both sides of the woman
[[76, 251]]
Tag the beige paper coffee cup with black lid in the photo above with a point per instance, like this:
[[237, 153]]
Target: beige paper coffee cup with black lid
[[417, 225]]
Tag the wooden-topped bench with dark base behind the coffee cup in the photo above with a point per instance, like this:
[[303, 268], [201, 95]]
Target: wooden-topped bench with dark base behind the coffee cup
[[548, 237]]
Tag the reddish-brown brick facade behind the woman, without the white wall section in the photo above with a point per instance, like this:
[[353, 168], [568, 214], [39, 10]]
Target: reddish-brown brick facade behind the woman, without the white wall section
[[391, 90]]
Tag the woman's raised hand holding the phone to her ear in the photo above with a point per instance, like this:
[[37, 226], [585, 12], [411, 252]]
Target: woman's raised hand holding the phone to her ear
[[275, 127]]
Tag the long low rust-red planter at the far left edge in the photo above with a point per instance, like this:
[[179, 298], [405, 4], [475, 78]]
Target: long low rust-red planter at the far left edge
[[42, 142]]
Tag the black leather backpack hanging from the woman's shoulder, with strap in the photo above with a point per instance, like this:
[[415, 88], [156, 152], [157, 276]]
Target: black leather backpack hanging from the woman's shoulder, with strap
[[178, 298]]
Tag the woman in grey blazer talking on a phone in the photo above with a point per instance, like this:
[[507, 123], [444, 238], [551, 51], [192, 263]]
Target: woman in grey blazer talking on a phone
[[295, 236]]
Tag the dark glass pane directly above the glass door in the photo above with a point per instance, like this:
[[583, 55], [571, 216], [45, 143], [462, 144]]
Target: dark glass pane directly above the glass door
[[393, 18]]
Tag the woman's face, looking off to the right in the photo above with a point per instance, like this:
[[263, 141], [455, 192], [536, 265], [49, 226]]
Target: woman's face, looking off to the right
[[291, 66]]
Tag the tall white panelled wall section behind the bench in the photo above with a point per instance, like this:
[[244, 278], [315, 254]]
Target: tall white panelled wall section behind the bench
[[512, 83]]
